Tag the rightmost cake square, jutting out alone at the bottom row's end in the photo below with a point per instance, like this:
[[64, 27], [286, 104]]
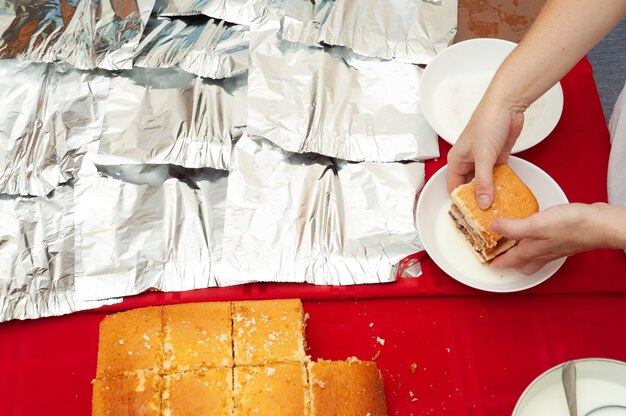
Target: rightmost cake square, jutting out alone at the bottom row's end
[[346, 388]]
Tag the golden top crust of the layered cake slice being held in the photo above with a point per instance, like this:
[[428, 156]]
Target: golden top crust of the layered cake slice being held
[[512, 199]]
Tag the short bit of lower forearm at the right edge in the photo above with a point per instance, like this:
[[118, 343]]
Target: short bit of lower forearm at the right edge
[[608, 224]]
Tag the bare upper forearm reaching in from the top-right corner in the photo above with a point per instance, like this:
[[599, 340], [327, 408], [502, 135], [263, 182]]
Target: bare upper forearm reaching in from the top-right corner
[[562, 34]]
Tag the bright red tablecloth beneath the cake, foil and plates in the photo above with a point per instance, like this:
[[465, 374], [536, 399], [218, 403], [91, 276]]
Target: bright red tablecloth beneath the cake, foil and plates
[[475, 352]]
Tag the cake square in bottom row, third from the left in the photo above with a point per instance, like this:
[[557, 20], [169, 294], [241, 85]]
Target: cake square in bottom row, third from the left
[[274, 390]]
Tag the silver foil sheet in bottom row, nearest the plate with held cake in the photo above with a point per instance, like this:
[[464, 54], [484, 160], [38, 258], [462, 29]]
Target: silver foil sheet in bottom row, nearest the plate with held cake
[[309, 218]]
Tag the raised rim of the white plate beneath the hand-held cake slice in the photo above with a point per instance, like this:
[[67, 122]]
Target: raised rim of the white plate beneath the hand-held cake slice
[[557, 263]]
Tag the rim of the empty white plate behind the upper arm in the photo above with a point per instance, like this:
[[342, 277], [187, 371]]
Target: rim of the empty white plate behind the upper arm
[[429, 116]]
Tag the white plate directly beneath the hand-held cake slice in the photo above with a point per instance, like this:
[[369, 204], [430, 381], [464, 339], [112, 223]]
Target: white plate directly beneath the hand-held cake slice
[[451, 252]]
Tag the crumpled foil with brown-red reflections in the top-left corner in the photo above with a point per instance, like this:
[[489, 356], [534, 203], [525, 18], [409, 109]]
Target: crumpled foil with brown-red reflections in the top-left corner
[[85, 33]]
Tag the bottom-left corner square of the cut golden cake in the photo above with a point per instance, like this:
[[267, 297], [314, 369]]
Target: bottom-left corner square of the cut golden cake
[[132, 394]]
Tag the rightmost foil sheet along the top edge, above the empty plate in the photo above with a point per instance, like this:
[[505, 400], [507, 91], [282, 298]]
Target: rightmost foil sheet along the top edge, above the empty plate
[[409, 31]]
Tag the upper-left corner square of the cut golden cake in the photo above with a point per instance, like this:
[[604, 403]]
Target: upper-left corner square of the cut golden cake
[[129, 341]]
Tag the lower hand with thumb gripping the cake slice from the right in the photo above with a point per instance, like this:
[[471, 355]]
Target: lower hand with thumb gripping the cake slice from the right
[[557, 232]]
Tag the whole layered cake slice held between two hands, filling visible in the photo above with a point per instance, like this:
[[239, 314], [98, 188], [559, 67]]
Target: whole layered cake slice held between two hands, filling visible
[[512, 199]]
